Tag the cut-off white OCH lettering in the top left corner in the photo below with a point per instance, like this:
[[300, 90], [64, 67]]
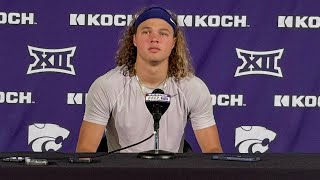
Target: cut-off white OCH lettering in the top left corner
[[16, 18]]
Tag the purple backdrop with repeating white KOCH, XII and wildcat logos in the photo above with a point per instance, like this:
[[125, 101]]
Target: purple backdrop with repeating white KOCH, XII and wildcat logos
[[259, 60]]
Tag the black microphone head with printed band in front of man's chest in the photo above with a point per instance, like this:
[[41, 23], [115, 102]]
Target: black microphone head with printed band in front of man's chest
[[157, 103]]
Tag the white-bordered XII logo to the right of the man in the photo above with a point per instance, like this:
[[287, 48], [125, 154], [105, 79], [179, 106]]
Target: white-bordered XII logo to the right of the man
[[259, 62]]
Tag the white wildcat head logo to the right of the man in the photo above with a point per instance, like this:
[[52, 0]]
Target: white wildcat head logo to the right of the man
[[253, 139]]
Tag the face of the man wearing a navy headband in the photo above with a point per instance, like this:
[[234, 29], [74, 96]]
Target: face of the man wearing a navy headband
[[154, 40]]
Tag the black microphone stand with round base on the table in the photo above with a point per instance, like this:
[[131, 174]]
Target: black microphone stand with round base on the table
[[156, 153]]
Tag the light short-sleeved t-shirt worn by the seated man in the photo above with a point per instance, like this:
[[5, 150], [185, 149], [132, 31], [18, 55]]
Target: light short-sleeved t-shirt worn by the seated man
[[118, 102]]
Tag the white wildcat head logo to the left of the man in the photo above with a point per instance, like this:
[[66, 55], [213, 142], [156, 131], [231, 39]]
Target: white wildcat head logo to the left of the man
[[46, 137]]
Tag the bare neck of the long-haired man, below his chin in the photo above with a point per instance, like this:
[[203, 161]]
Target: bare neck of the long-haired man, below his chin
[[151, 75]]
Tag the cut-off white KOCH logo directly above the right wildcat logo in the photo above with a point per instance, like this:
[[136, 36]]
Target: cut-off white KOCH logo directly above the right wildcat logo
[[296, 101]]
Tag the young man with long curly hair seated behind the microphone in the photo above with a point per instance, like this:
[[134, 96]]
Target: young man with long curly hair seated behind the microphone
[[153, 54]]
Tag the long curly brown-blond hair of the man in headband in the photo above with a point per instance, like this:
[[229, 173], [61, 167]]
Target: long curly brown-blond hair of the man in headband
[[180, 64]]
